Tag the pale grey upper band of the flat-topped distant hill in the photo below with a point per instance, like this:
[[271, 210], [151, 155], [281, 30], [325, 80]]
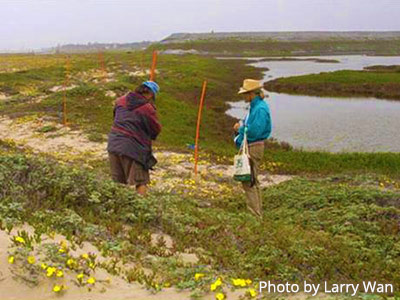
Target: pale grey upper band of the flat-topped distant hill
[[300, 36]]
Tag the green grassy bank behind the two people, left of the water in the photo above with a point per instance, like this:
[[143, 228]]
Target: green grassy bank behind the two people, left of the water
[[180, 79]]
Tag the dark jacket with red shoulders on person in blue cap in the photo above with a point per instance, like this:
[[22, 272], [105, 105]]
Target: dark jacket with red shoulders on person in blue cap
[[135, 126]]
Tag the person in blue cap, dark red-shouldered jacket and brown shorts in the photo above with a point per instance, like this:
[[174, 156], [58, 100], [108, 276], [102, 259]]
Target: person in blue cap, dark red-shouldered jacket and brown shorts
[[134, 128]]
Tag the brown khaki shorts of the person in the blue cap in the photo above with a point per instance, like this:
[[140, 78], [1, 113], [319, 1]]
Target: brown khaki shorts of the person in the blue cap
[[127, 171]]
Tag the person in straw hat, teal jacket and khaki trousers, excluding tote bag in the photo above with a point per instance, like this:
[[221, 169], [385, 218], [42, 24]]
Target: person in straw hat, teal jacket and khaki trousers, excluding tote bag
[[257, 124]]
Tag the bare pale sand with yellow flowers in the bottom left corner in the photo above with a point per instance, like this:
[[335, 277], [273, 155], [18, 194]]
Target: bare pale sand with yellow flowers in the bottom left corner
[[118, 288]]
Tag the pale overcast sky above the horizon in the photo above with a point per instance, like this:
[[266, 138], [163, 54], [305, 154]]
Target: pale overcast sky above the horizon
[[27, 24]]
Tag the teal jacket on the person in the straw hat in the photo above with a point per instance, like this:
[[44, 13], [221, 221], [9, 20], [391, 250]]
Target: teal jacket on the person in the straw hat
[[258, 122]]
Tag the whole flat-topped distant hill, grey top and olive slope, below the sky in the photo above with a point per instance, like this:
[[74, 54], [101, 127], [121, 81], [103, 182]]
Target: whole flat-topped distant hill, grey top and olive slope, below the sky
[[282, 43]]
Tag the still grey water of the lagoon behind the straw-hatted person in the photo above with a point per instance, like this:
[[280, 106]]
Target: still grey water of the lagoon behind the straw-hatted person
[[330, 124]]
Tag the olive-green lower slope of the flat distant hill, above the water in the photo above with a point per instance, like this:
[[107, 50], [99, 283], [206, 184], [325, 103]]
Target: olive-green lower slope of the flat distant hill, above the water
[[237, 47]]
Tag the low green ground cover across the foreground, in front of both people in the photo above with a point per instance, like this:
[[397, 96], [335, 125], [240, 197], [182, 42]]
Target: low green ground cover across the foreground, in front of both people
[[340, 229]]
